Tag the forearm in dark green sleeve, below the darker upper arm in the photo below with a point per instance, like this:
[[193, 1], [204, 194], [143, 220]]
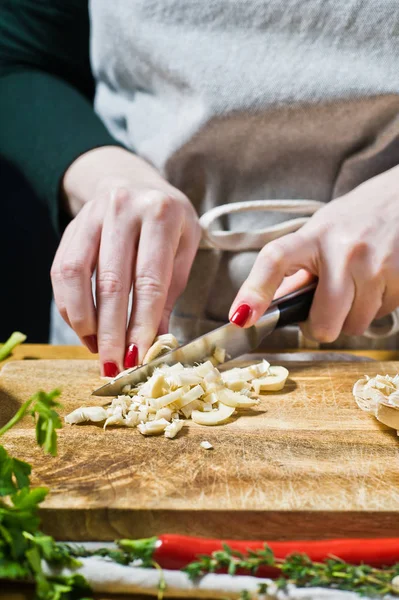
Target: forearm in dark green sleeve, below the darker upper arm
[[45, 124]]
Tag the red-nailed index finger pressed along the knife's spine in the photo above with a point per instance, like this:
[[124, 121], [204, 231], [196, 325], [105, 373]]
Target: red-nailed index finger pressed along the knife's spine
[[277, 259]]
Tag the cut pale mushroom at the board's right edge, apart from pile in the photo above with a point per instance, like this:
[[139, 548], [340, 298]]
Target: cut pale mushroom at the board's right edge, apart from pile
[[380, 396]]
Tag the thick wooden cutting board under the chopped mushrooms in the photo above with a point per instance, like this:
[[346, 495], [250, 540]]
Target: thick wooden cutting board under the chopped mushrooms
[[307, 463]]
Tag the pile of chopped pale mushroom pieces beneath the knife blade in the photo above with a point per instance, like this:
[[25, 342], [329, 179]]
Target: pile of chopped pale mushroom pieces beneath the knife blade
[[175, 393]]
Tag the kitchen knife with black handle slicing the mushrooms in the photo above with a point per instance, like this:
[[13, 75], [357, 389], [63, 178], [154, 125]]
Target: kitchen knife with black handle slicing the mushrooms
[[288, 310]]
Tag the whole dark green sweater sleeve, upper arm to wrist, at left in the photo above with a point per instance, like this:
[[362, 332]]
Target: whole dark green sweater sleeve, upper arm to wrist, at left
[[47, 118]]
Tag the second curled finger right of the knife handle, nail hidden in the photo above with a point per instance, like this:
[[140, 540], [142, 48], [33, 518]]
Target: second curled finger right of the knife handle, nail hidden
[[365, 306]]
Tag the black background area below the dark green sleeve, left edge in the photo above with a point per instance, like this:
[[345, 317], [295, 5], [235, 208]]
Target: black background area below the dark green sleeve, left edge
[[27, 244]]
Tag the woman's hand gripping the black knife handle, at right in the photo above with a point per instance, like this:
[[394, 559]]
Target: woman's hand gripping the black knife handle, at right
[[352, 246]]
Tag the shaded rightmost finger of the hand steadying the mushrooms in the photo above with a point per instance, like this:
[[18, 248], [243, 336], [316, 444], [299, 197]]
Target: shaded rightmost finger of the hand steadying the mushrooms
[[181, 271]]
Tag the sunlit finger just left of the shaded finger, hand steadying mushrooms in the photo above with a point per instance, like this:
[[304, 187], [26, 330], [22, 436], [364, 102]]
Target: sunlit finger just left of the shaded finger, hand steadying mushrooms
[[158, 244]]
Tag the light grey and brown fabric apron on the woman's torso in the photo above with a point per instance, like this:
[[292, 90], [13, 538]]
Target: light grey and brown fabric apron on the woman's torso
[[238, 100]]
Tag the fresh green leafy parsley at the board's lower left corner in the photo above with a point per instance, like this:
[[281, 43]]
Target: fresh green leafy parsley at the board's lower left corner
[[22, 545]]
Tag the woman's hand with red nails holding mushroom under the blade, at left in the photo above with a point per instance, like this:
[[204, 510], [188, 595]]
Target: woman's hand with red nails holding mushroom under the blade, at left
[[137, 231]]
